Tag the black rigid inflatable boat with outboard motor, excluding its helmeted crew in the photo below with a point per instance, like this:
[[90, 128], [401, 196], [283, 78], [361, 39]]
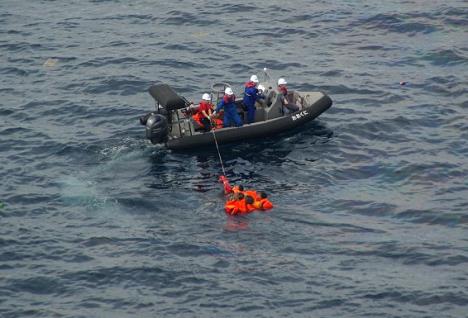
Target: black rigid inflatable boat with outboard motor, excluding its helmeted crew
[[170, 123]]
